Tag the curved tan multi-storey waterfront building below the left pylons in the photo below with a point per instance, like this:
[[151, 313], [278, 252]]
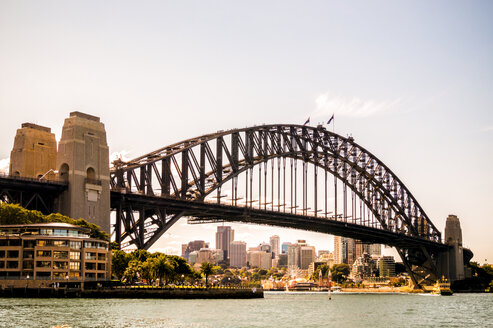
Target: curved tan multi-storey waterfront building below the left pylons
[[37, 255]]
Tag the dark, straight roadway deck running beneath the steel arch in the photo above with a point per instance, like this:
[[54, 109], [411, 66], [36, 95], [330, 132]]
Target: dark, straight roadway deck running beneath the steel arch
[[212, 212]]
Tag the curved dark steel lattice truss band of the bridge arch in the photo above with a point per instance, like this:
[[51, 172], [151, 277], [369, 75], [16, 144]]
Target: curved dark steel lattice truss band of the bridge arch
[[197, 176]]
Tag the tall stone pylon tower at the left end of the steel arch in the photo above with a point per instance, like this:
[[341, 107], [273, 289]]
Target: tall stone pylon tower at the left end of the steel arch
[[83, 160]]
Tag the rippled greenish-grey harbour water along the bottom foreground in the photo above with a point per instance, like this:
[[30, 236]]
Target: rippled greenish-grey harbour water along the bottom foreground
[[277, 309]]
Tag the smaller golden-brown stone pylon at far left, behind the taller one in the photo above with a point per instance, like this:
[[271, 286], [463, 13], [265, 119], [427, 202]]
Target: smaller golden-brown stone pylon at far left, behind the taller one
[[34, 152]]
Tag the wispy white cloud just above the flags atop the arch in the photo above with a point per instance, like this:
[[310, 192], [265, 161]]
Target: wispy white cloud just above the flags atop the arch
[[329, 103]]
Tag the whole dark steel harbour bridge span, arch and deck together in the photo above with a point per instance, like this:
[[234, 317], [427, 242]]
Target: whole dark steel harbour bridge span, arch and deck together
[[291, 176]]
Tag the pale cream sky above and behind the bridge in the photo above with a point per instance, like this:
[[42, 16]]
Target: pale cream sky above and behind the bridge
[[411, 81]]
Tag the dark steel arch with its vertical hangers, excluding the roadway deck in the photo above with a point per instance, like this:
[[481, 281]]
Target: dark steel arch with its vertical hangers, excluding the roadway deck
[[193, 169]]
